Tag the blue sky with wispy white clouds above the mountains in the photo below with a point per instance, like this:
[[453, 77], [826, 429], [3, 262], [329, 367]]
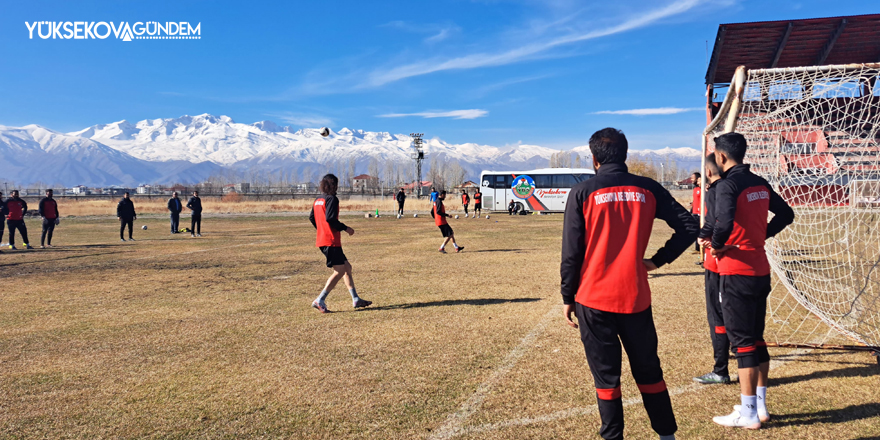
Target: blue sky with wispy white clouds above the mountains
[[494, 72]]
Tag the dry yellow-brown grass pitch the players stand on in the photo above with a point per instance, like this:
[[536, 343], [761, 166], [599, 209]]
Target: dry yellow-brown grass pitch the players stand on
[[172, 337]]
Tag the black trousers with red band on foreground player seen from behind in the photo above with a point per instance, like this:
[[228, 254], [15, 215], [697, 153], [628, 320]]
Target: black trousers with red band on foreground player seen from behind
[[602, 333]]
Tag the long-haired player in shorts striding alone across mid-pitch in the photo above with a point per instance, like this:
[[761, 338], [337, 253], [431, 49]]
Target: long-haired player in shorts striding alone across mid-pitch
[[325, 218]]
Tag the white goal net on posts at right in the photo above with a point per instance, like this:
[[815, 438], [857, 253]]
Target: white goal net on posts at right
[[814, 134]]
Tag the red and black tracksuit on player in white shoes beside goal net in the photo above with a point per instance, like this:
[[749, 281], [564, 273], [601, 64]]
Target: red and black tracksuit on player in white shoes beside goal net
[[743, 202]]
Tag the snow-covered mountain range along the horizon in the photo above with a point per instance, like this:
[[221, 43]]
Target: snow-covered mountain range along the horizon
[[189, 149]]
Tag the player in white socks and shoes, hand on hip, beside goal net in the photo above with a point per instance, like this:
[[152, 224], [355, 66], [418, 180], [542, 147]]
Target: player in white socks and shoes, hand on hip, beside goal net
[[743, 201]]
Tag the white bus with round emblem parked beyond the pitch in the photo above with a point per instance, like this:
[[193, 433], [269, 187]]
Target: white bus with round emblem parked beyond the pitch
[[544, 190]]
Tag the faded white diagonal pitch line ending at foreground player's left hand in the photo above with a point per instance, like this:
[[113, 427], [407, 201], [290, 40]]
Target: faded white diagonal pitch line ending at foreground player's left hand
[[453, 425]]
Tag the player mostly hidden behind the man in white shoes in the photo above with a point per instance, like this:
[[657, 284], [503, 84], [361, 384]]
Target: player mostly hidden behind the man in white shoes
[[720, 342]]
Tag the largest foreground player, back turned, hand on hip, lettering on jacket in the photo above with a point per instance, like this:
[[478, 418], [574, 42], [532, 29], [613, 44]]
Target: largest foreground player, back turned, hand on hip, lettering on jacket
[[606, 228]]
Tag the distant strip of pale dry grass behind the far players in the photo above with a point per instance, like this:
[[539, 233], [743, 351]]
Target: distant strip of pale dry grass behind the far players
[[214, 205]]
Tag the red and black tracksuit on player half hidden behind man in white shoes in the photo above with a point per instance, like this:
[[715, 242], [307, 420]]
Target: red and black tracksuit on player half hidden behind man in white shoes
[[714, 315]]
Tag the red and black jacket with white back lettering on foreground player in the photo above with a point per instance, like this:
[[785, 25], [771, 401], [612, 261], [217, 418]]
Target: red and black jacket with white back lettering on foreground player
[[608, 222]]
